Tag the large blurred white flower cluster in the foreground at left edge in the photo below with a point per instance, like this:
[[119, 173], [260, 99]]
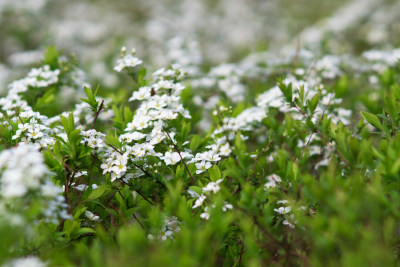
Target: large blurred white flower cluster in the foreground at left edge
[[24, 177]]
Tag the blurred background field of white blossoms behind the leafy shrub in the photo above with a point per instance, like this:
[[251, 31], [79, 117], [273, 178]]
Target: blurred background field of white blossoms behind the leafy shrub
[[190, 32]]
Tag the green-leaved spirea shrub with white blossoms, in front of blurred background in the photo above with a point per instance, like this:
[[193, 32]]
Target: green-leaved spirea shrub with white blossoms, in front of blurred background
[[293, 163]]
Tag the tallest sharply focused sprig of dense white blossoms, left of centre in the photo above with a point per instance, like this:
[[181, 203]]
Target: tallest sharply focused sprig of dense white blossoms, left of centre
[[160, 104]]
